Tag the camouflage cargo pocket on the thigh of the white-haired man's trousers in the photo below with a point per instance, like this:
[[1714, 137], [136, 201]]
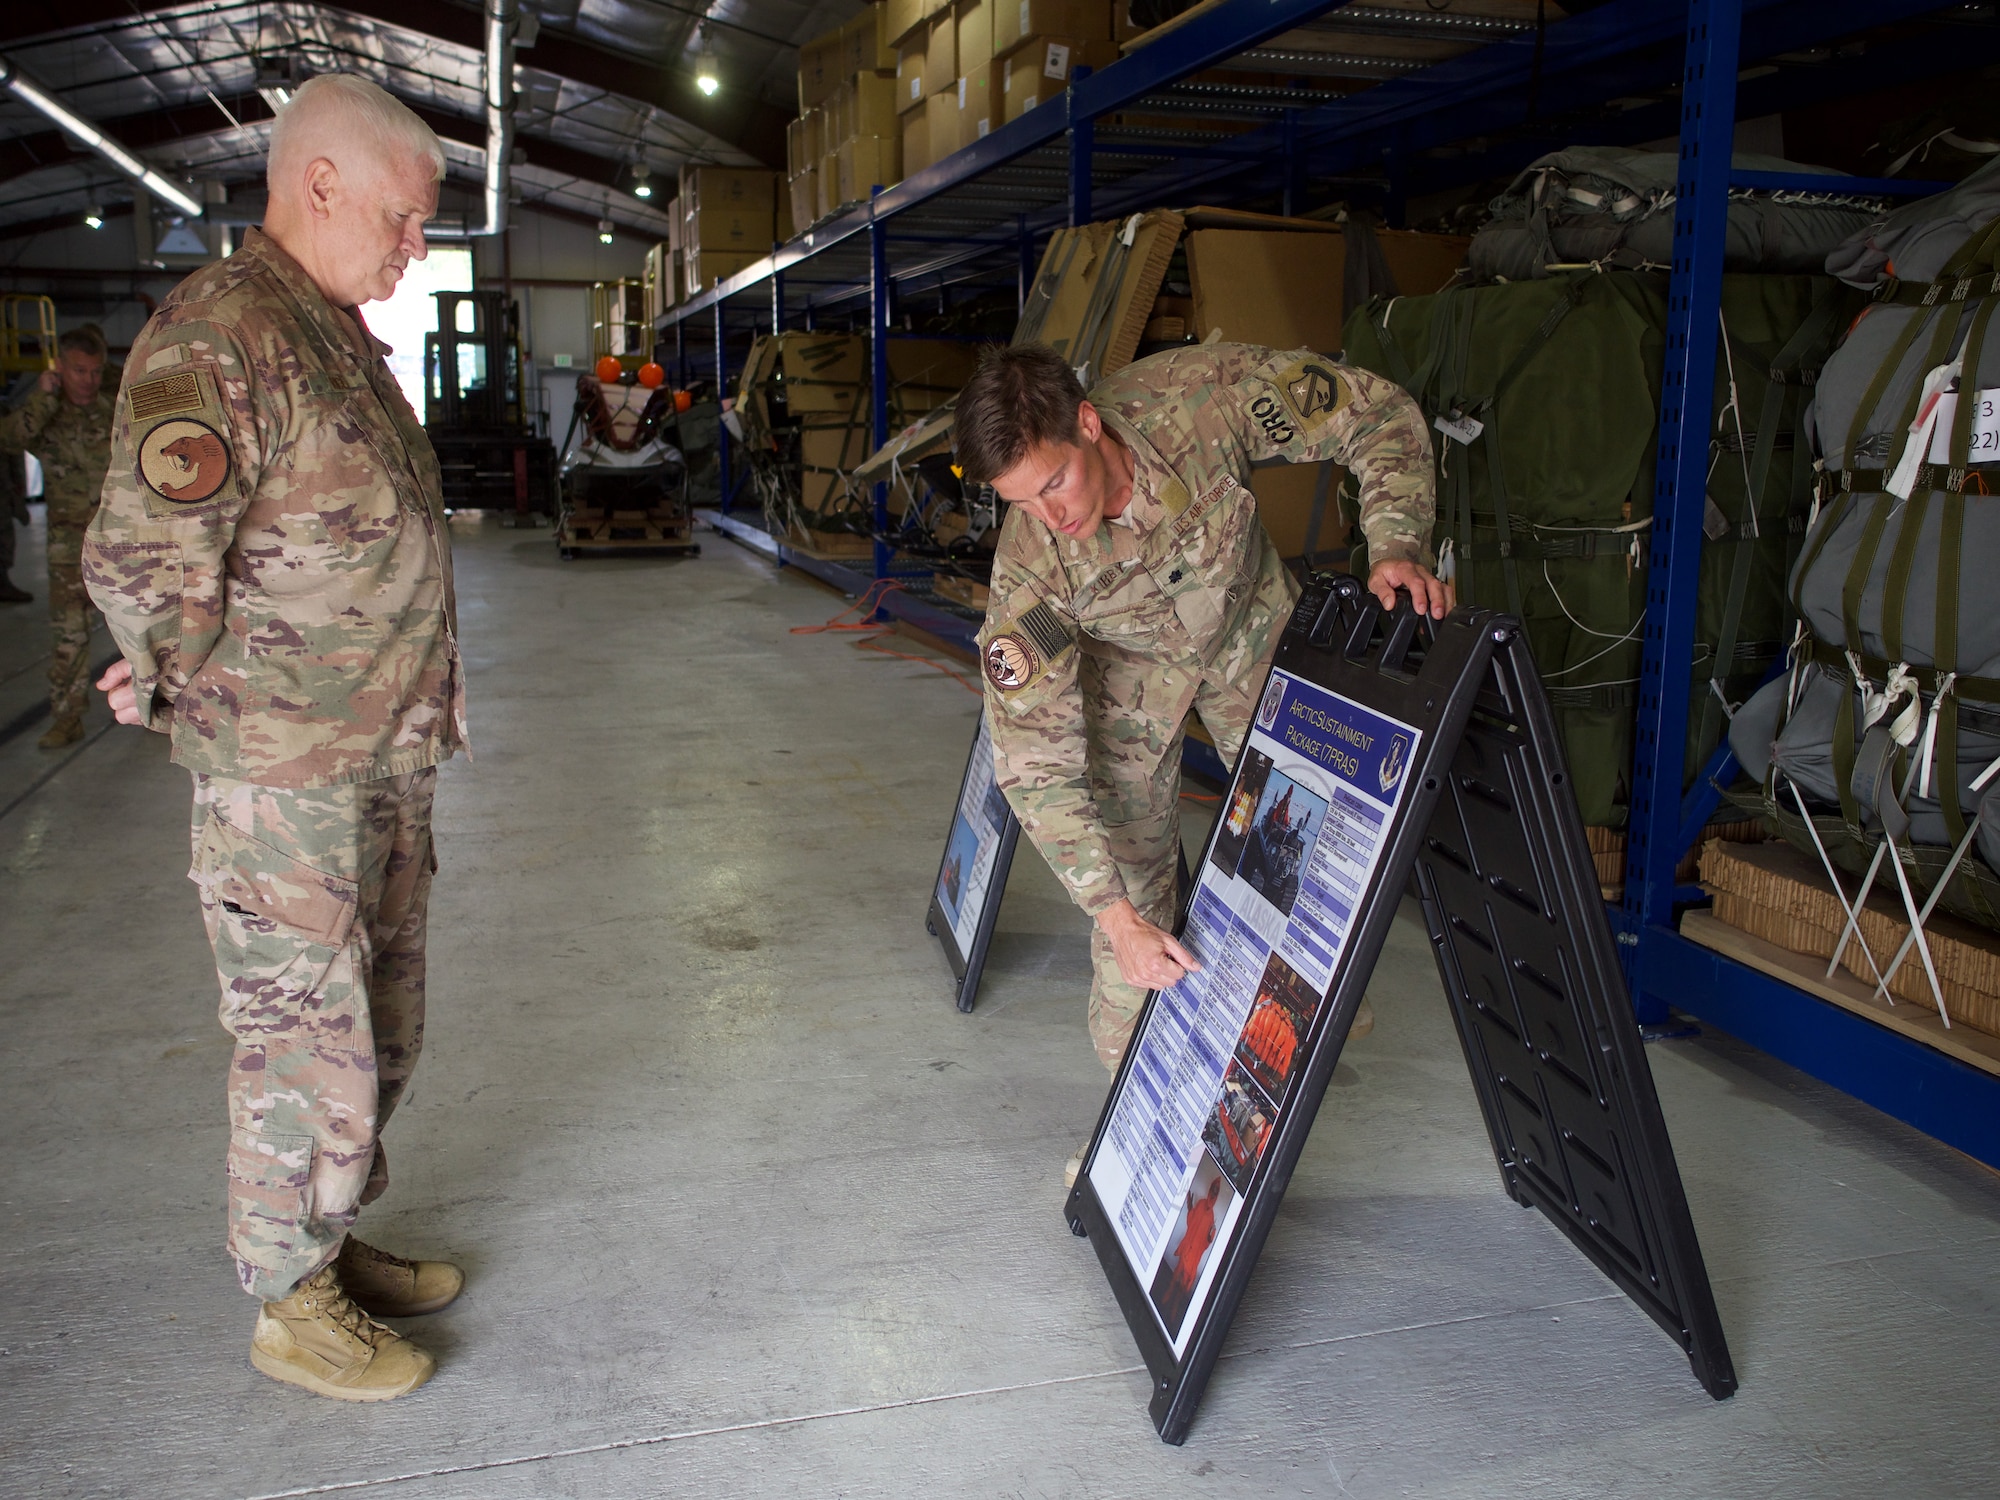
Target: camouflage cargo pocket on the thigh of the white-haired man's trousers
[[279, 929]]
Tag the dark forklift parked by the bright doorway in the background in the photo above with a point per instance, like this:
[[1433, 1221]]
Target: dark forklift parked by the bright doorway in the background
[[473, 409]]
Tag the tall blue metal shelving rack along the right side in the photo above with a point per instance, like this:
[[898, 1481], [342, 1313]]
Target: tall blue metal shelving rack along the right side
[[1621, 73]]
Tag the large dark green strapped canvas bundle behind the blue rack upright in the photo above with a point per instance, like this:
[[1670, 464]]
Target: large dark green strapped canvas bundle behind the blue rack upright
[[1545, 407]]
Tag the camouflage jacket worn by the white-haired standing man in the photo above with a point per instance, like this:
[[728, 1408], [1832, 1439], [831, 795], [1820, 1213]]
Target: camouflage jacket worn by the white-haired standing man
[[271, 553]]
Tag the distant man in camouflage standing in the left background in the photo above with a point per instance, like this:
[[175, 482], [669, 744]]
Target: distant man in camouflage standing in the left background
[[67, 425]]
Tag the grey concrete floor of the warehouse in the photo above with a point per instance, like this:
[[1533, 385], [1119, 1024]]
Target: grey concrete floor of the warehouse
[[749, 1209]]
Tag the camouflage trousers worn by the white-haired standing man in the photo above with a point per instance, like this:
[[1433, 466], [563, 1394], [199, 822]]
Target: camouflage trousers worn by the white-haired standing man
[[315, 911]]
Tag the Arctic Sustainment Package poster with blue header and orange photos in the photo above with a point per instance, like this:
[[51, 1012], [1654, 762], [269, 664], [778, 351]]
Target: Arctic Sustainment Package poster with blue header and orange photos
[[1293, 857]]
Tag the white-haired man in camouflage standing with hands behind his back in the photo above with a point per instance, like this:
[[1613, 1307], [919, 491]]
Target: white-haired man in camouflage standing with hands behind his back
[[275, 565]]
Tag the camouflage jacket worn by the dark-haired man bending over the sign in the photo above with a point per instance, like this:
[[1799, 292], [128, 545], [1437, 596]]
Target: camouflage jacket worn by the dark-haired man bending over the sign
[[1195, 585]]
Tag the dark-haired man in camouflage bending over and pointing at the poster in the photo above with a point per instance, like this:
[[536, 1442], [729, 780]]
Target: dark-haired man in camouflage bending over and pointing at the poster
[[1101, 637]]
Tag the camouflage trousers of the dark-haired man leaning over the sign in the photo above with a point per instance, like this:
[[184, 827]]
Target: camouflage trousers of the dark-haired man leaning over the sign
[[1135, 779]]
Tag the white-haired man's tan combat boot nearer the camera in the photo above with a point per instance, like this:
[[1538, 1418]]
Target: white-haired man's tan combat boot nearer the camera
[[321, 1341]]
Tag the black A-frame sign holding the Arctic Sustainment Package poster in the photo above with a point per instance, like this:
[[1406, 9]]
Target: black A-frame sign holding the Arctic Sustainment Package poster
[[1385, 751]]
